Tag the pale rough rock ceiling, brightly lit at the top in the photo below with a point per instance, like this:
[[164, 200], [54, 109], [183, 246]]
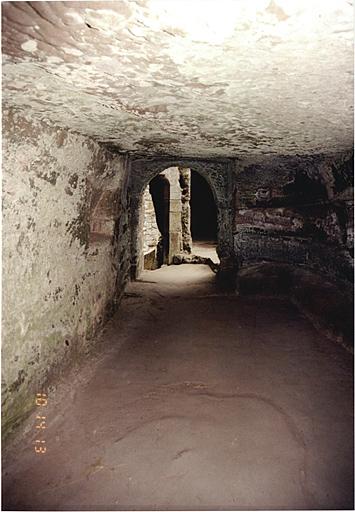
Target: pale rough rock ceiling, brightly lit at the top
[[202, 78]]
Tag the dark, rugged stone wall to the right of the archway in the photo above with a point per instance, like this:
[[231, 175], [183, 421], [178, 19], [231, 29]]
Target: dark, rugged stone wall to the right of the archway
[[297, 211]]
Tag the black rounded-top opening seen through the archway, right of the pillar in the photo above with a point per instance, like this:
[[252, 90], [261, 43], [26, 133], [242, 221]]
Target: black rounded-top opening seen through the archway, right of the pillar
[[203, 209]]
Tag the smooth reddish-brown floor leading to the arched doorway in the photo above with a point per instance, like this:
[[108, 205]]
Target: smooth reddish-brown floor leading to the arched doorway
[[197, 400]]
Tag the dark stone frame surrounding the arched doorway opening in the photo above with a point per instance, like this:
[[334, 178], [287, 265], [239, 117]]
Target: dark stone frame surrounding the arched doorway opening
[[219, 176]]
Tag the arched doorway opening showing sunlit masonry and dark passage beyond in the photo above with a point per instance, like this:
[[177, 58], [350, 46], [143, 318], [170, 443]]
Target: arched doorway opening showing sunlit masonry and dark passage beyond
[[180, 219]]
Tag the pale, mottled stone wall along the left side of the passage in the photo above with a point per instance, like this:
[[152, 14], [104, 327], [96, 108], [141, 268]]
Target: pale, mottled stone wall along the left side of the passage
[[65, 252]]
